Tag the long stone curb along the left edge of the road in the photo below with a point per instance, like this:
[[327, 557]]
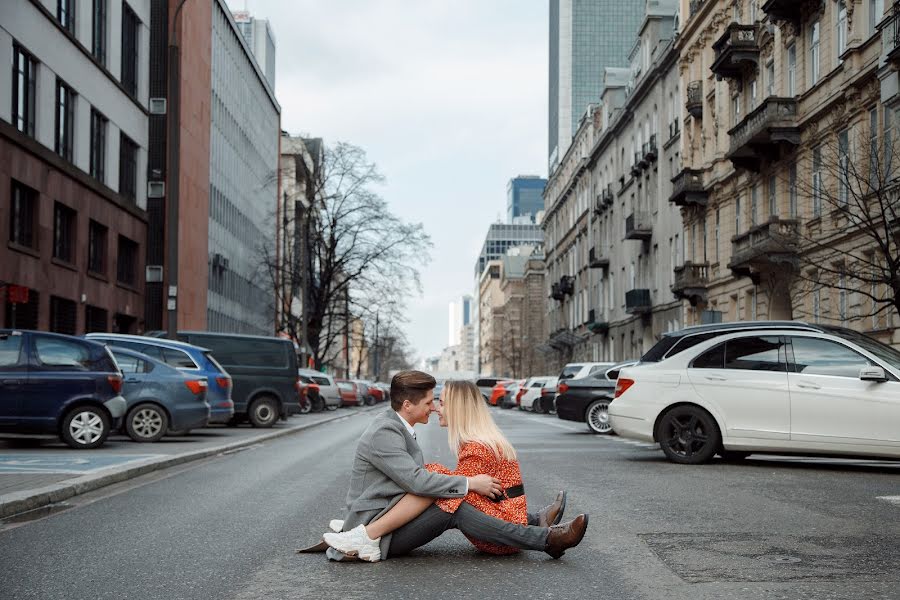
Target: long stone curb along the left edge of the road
[[19, 502]]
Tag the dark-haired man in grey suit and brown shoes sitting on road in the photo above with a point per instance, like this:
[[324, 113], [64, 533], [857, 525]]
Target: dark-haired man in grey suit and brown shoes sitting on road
[[389, 464]]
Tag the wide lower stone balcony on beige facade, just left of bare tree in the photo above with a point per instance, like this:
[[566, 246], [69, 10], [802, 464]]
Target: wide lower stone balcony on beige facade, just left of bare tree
[[765, 247]]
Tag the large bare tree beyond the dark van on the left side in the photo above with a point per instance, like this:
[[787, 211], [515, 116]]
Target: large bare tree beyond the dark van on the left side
[[362, 259]]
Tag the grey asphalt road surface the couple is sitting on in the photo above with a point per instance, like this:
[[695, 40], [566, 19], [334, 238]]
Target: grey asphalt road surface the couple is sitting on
[[227, 528]]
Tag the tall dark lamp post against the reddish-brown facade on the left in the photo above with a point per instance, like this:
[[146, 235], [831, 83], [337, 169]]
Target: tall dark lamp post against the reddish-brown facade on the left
[[173, 160]]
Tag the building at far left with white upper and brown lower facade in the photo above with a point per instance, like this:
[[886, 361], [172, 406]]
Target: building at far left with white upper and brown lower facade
[[73, 161]]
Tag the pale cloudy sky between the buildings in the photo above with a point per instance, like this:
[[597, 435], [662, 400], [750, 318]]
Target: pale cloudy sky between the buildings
[[447, 97]]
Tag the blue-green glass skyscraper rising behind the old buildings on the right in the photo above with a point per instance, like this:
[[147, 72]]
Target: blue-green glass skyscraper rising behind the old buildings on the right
[[585, 37]]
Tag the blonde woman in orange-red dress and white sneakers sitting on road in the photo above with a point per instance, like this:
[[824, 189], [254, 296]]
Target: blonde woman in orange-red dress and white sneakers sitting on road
[[481, 448]]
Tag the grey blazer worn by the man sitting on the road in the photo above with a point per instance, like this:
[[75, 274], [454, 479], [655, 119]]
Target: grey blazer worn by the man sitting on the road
[[387, 465]]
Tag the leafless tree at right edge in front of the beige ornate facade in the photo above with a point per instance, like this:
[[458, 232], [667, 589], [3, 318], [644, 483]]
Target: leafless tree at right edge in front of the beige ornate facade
[[848, 184]]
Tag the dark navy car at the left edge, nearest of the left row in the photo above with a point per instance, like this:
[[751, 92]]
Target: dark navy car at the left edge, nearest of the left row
[[61, 385]]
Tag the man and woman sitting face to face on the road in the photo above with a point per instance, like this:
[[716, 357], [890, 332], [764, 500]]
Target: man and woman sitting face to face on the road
[[396, 503]]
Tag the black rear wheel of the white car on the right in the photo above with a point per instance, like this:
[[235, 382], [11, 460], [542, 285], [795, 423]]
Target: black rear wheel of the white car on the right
[[688, 435]]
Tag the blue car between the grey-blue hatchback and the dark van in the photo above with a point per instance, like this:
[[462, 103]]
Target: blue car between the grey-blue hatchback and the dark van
[[187, 358]]
